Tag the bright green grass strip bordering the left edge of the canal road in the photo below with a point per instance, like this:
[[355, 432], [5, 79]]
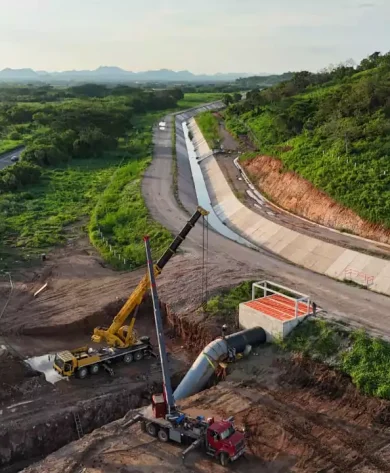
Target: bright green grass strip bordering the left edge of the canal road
[[120, 214]]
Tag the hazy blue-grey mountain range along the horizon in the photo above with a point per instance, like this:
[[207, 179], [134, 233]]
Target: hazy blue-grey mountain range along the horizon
[[106, 74]]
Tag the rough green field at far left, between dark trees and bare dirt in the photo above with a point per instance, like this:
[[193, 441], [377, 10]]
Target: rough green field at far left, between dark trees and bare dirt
[[39, 217]]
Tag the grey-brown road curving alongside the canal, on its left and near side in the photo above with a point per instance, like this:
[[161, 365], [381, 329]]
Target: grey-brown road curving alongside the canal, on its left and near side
[[357, 306]]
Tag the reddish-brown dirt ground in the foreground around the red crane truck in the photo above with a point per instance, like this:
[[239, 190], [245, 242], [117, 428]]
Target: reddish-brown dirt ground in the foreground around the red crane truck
[[298, 417]]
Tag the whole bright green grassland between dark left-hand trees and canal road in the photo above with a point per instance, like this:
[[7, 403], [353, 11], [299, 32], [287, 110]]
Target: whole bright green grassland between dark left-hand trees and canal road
[[100, 194]]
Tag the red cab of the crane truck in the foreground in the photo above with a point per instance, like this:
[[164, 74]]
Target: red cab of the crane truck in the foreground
[[224, 441]]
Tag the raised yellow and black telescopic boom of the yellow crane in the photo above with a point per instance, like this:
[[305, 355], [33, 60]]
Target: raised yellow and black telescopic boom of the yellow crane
[[118, 335]]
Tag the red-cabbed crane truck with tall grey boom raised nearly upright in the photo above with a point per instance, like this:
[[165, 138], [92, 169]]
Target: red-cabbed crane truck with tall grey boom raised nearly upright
[[163, 419]]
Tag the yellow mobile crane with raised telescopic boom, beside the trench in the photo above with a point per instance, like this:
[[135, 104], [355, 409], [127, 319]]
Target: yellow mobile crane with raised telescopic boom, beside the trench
[[122, 342]]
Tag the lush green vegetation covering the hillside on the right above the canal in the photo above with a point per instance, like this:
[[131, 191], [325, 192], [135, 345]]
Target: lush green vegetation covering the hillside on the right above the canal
[[332, 128]]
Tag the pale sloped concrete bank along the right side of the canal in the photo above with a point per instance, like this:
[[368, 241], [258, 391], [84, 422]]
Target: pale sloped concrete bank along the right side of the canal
[[317, 255]]
